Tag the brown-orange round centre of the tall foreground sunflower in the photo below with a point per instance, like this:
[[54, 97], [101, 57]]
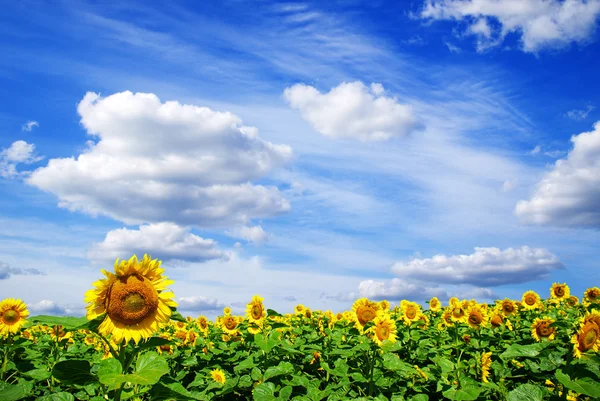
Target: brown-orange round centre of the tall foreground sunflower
[[131, 300]]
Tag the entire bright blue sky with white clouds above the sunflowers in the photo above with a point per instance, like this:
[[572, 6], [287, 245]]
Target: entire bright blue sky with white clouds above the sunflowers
[[309, 153]]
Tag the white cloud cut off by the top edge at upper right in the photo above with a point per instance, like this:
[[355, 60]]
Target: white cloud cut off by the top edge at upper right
[[540, 23]]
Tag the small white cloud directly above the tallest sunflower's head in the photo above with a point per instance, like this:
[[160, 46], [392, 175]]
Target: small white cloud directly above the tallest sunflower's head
[[165, 241]]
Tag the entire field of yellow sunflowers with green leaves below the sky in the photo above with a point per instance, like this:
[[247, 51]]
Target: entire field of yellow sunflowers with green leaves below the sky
[[134, 345]]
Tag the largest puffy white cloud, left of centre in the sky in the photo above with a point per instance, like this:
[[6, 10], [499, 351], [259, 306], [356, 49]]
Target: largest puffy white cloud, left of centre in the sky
[[156, 162]]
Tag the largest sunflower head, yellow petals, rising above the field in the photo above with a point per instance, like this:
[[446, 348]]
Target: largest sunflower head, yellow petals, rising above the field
[[134, 299]]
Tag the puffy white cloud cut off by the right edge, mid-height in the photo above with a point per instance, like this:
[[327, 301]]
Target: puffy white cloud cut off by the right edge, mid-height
[[569, 194]]
